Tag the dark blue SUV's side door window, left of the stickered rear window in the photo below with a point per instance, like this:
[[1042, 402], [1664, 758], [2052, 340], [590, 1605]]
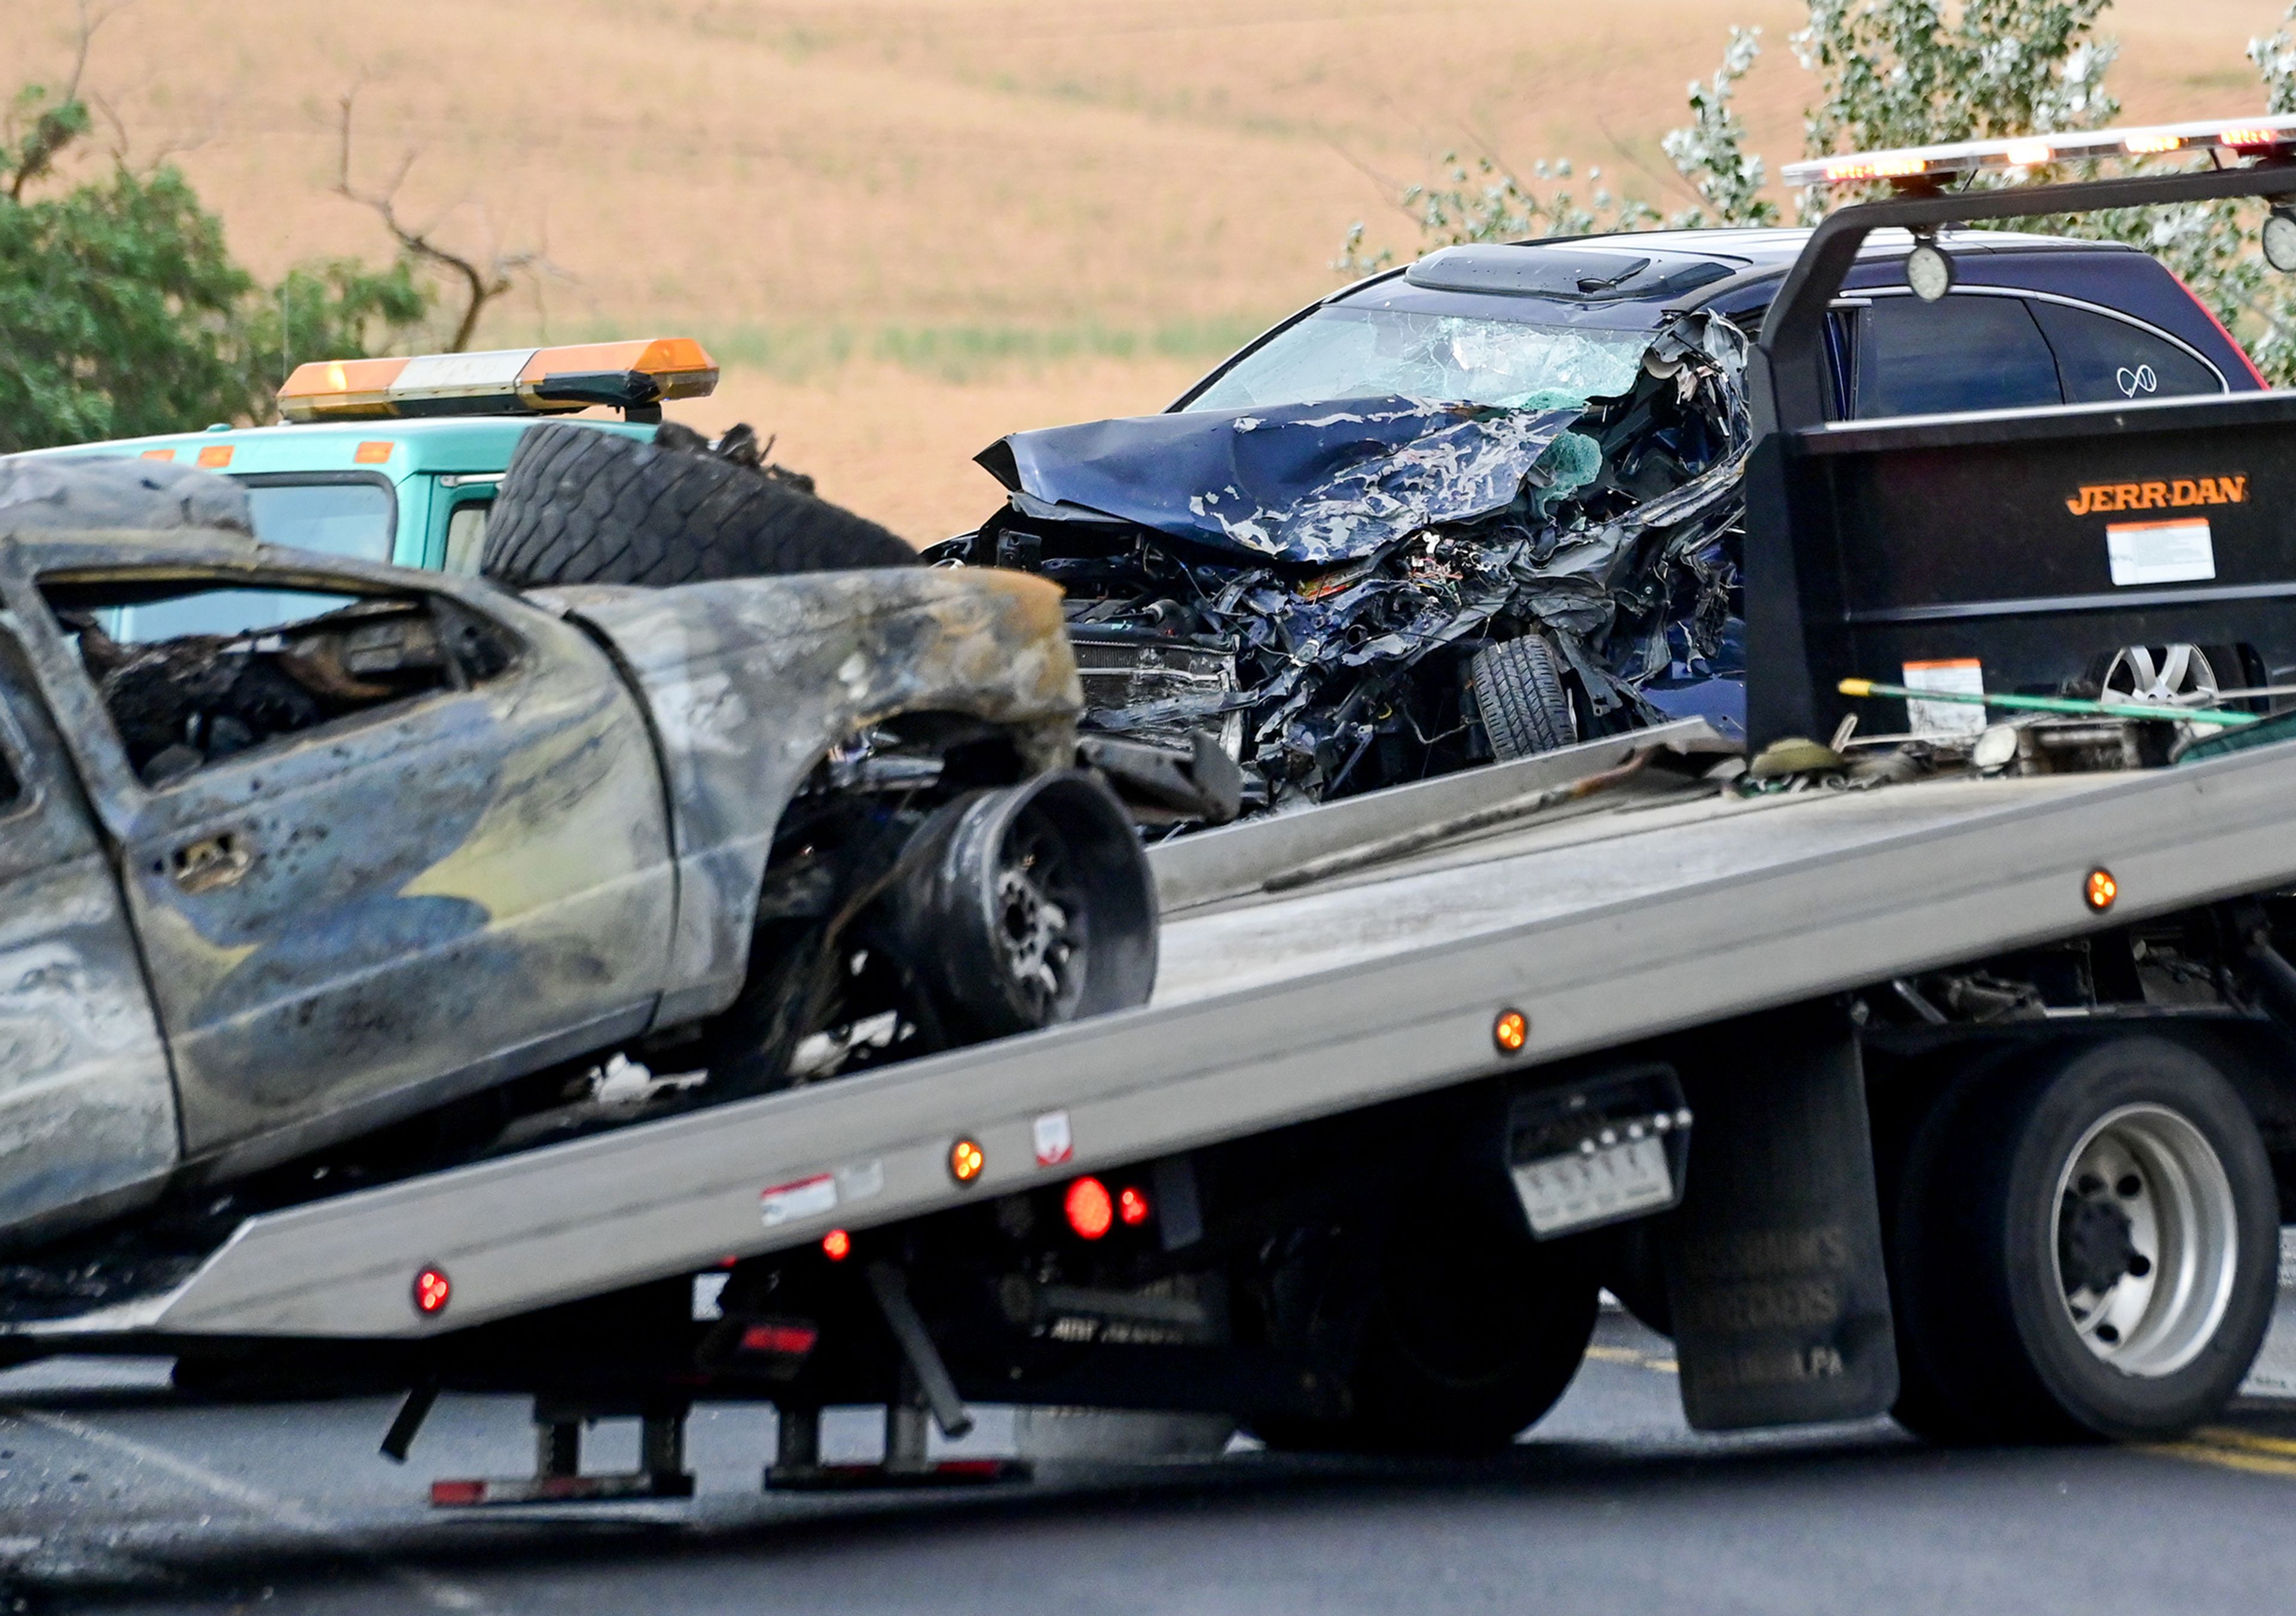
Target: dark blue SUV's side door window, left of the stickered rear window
[[1957, 355]]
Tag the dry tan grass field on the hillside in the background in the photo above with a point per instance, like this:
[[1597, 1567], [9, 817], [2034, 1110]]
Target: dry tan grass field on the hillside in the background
[[910, 226]]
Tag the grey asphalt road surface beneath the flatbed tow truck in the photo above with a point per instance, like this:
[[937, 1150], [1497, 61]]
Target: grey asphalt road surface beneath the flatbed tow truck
[[123, 1498]]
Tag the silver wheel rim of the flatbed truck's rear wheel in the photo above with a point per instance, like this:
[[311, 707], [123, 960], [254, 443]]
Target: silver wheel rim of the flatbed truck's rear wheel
[[2146, 1241]]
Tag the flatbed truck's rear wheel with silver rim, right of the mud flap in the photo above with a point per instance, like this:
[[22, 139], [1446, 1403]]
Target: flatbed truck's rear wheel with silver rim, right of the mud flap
[[2086, 1248]]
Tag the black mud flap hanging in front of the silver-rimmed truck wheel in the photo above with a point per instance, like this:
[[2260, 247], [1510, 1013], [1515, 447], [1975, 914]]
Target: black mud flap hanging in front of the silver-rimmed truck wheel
[[1774, 1261]]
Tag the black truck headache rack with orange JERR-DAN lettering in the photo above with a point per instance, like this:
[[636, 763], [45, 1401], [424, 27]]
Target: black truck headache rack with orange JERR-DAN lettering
[[2026, 543]]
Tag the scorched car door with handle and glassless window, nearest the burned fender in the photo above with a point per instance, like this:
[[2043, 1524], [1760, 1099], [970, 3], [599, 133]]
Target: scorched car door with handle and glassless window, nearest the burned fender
[[380, 844]]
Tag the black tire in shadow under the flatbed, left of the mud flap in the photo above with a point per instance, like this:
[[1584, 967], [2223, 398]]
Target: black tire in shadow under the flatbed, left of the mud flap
[[1473, 1335]]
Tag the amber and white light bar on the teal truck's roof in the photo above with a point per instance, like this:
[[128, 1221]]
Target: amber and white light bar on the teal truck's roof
[[509, 382]]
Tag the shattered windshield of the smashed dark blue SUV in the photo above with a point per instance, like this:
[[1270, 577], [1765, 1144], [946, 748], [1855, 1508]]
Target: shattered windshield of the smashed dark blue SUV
[[1452, 359]]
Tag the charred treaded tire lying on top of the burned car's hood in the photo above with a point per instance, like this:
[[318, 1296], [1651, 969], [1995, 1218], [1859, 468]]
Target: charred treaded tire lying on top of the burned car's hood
[[587, 506]]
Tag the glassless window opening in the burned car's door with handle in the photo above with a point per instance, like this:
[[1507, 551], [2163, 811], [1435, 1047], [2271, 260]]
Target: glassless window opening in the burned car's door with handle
[[185, 701]]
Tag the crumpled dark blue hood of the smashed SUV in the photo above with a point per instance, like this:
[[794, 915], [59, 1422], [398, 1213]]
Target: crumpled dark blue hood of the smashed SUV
[[1301, 483]]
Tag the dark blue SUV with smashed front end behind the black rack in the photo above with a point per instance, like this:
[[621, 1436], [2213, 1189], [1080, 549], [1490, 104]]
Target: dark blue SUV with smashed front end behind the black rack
[[1491, 504]]
